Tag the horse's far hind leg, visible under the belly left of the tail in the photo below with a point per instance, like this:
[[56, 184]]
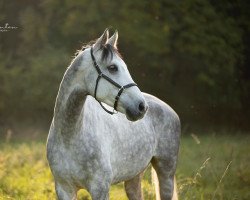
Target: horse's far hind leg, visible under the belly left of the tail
[[133, 188]]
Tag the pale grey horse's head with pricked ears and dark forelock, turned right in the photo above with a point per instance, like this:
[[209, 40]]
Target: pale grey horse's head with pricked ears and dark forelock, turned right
[[108, 79]]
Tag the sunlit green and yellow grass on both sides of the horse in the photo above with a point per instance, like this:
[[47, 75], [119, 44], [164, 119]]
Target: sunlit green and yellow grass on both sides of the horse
[[212, 166]]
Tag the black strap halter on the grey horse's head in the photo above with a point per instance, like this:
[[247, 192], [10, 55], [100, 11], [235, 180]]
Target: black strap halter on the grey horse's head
[[101, 75]]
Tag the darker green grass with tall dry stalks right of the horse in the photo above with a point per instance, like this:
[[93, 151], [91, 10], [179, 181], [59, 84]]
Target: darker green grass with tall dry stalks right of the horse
[[215, 167]]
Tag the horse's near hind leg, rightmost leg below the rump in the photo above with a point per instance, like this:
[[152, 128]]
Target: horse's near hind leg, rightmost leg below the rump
[[165, 172]]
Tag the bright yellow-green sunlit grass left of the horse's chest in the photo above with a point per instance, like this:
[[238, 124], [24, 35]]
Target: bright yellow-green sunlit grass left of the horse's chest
[[24, 173]]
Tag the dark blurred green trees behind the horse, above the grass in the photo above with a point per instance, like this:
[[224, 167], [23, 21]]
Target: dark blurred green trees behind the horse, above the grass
[[193, 54]]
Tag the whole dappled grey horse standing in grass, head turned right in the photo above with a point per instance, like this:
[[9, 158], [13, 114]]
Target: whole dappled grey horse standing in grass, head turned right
[[89, 147]]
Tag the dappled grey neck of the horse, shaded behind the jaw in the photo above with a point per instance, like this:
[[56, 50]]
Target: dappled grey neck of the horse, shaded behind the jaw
[[69, 102]]
